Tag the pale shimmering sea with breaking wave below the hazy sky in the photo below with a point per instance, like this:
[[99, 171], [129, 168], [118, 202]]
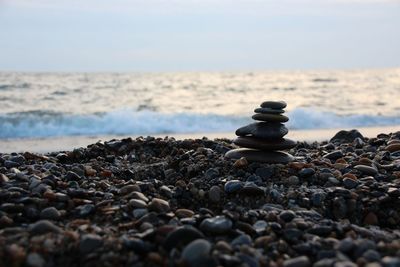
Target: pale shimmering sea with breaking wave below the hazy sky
[[45, 105]]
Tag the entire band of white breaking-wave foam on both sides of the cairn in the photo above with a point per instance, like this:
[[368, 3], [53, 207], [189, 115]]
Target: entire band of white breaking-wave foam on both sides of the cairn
[[131, 122]]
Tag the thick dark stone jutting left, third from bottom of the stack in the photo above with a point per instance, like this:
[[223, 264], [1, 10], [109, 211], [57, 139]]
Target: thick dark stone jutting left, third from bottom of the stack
[[267, 130]]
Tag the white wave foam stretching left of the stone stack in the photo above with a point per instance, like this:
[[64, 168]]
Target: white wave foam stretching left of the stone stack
[[117, 122]]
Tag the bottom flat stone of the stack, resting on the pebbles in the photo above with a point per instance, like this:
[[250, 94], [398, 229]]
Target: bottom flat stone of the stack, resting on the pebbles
[[253, 155]]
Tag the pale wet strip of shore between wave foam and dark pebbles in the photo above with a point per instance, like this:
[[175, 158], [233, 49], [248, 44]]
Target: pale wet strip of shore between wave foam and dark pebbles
[[66, 143]]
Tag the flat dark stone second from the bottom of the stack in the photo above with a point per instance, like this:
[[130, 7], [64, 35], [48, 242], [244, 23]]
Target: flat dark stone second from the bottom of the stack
[[252, 142]]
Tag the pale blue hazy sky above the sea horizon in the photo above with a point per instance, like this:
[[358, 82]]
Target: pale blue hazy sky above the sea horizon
[[191, 35]]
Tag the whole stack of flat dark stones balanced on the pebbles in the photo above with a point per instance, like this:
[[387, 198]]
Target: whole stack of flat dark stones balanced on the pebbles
[[262, 141]]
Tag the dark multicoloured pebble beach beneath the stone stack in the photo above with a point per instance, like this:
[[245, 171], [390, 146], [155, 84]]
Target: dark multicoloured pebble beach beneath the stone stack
[[165, 202]]
